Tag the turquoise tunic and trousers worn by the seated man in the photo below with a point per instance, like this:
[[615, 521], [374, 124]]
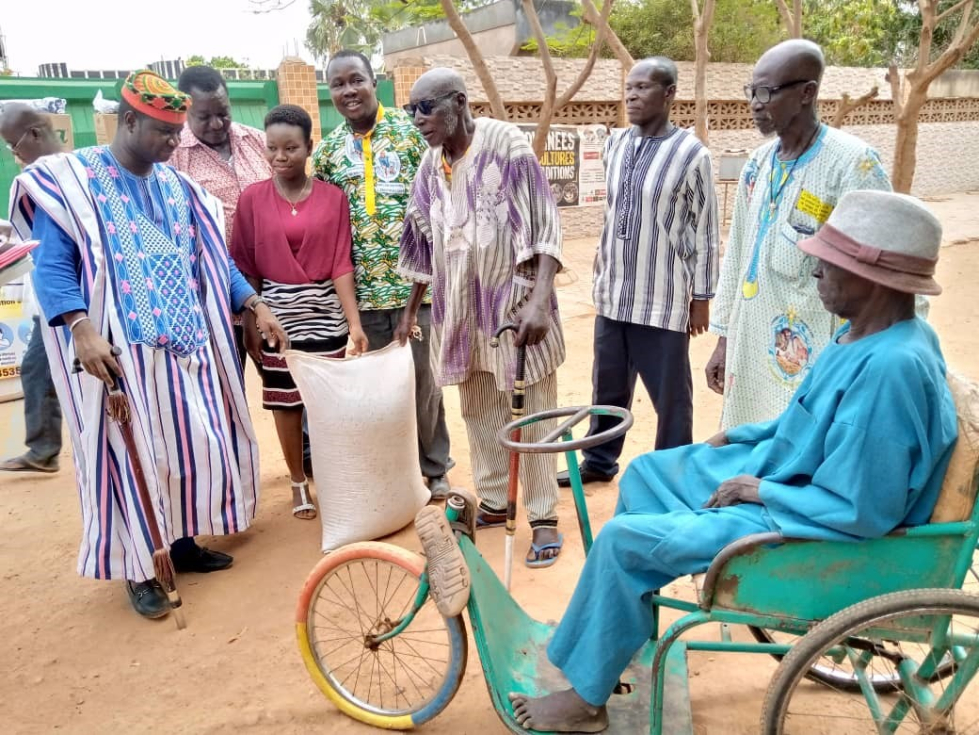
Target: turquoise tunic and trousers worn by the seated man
[[861, 449]]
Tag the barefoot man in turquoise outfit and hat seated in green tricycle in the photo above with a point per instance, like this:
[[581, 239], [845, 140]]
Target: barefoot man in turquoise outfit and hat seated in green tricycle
[[861, 450]]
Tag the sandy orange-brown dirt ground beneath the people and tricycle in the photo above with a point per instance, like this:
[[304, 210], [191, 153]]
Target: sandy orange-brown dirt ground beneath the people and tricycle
[[75, 658]]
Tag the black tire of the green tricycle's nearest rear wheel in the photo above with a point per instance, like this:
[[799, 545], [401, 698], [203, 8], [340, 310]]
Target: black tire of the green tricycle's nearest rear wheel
[[848, 624]]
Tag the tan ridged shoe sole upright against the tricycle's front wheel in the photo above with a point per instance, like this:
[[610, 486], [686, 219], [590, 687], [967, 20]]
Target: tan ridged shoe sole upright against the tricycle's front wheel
[[448, 575]]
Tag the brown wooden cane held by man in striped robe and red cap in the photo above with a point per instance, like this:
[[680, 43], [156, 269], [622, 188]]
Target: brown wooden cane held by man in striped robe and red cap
[[117, 408]]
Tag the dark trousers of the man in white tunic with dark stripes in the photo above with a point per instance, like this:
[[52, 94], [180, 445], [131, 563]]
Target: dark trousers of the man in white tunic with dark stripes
[[661, 357]]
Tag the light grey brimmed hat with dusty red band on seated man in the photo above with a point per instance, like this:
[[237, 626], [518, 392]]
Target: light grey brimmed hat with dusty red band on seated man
[[890, 239]]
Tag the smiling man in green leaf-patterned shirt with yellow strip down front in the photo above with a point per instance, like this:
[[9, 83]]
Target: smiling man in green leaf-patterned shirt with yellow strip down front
[[373, 157]]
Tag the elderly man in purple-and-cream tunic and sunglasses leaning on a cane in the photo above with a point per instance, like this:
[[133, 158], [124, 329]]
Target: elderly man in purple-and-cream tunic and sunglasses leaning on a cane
[[483, 230]]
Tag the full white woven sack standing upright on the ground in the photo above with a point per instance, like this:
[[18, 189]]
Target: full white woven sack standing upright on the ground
[[364, 441]]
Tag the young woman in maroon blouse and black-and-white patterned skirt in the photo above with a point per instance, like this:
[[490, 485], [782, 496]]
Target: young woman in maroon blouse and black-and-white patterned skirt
[[291, 238]]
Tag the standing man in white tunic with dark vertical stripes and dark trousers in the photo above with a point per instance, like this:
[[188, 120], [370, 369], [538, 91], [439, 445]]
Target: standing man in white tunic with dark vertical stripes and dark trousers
[[656, 266]]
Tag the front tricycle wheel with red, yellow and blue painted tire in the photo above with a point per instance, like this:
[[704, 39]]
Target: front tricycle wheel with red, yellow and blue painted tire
[[359, 592]]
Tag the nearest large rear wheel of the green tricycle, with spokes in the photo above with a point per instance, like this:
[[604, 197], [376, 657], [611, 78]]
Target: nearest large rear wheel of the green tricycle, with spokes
[[892, 635]]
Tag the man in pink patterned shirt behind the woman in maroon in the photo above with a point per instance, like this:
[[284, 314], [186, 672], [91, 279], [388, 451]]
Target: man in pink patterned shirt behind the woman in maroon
[[222, 156]]
